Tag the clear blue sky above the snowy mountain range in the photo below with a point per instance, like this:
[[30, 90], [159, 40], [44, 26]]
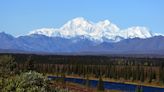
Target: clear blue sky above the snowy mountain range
[[18, 17]]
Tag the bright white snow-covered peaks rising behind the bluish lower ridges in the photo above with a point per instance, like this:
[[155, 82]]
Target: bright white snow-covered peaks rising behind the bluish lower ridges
[[100, 31]]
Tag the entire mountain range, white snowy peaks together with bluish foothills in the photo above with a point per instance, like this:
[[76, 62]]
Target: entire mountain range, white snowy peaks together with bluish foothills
[[82, 36]]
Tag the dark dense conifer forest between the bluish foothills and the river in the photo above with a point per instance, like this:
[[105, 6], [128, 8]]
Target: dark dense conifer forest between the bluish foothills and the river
[[147, 69]]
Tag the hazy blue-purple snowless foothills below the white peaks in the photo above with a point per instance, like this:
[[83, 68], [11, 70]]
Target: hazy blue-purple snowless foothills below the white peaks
[[57, 45]]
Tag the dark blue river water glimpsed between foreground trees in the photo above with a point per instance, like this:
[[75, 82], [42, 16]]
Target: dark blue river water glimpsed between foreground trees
[[112, 85]]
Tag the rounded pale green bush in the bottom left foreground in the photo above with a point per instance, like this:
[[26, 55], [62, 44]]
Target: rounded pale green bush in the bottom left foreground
[[27, 82]]
